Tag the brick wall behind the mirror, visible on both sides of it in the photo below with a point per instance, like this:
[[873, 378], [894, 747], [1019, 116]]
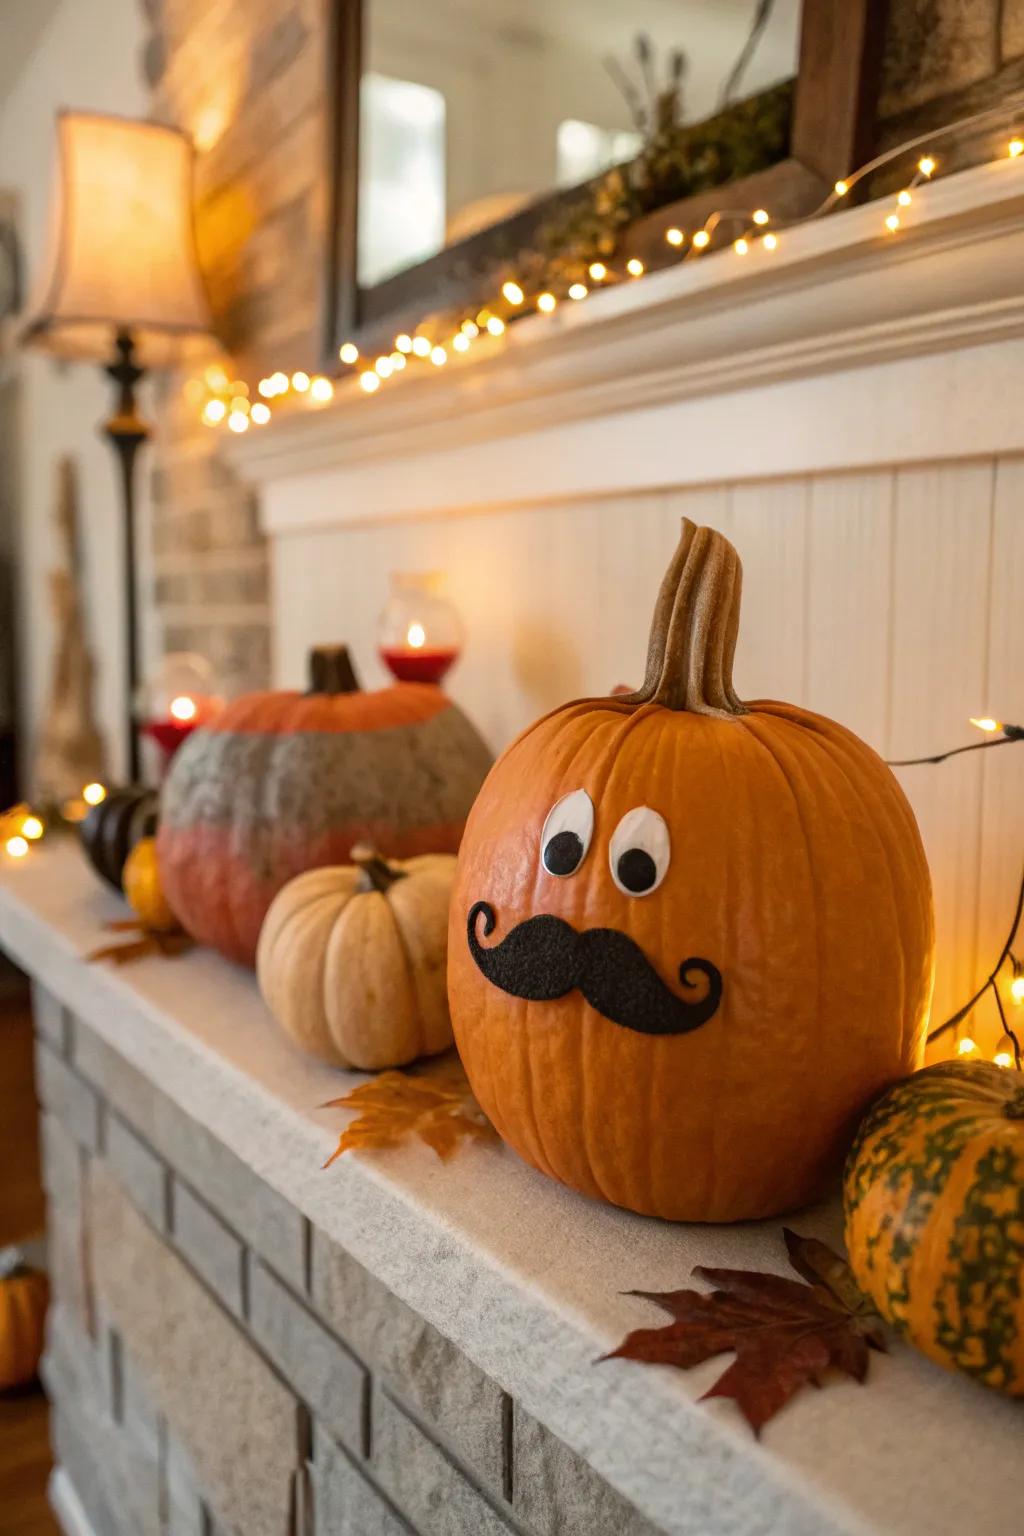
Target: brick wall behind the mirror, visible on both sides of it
[[246, 78]]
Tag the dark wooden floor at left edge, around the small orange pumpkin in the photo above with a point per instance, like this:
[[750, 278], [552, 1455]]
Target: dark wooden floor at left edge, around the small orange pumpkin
[[25, 1458]]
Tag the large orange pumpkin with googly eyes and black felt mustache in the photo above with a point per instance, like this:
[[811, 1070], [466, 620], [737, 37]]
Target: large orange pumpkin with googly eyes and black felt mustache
[[690, 938]]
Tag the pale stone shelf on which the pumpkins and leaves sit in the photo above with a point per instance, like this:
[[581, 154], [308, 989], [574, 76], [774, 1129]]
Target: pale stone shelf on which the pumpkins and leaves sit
[[527, 1279]]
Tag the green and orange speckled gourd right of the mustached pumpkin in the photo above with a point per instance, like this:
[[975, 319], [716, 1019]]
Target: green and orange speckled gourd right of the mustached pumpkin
[[934, 1199]]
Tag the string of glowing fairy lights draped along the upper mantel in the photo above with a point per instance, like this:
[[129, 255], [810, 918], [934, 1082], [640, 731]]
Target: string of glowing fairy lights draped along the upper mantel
[[233, 403]]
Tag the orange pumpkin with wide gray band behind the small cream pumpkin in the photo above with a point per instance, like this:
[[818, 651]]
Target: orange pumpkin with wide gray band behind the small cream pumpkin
[[285, 783]]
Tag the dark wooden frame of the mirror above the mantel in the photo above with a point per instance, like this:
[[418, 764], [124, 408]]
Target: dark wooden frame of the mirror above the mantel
[[833, 127]]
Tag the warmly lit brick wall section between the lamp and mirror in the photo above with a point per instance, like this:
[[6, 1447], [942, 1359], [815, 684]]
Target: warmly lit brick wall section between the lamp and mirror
[[245, 78]]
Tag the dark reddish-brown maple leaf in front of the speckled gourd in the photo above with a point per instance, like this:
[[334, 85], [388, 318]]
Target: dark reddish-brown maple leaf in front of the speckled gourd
[[785, 1334]]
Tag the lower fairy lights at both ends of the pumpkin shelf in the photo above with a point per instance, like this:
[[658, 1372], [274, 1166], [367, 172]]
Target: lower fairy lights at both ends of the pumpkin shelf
[[24, 827]]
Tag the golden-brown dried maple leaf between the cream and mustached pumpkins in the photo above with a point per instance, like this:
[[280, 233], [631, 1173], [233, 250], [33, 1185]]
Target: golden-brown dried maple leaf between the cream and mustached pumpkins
[[394, 1107]]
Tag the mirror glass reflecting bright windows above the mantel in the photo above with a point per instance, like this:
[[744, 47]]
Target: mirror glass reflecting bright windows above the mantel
[[471, 110]]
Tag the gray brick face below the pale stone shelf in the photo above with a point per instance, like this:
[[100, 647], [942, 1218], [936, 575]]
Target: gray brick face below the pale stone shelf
[[220, 1366]]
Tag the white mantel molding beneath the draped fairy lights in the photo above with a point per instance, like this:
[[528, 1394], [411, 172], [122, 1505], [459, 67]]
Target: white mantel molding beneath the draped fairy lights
[[725, 368]]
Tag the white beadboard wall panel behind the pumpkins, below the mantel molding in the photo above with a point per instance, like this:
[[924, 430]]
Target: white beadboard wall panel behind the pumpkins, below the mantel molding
[[888, 600]]
